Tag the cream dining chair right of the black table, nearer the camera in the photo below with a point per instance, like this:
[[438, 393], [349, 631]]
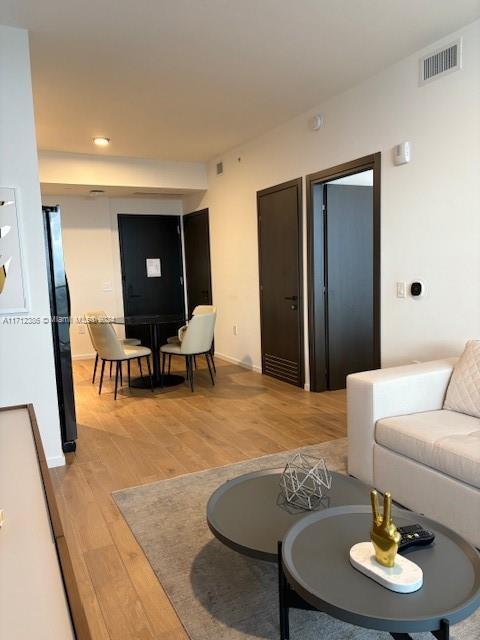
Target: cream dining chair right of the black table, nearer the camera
[[197, 340]]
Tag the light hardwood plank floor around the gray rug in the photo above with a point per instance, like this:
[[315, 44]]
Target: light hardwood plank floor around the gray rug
[[144, 437]]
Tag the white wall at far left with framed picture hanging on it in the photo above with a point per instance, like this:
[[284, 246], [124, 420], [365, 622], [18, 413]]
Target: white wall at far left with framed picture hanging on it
[[27, 371]]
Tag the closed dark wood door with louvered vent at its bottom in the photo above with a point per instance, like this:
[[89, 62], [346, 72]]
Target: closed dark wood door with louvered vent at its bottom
[[280, 263]]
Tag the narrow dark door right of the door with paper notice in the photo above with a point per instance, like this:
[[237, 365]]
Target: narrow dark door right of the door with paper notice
[[197, 259]]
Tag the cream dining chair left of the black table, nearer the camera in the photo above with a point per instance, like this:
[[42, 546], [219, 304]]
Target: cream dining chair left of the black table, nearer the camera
[[110, 349]]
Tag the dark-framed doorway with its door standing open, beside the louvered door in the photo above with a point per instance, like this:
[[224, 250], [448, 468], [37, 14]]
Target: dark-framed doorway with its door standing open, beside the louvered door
[[343, 227]]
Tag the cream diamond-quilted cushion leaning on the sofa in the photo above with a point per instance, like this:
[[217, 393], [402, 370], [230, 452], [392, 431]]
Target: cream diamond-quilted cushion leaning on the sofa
[[463, 392]]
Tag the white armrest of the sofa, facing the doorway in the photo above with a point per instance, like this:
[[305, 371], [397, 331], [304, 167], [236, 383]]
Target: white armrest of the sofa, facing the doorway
[[386, 393]]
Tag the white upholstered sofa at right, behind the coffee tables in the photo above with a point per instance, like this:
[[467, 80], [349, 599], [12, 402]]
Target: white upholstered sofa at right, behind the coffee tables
[[401, 440]]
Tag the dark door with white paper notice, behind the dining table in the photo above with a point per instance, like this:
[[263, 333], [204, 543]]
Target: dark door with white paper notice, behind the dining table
[[147, 290]]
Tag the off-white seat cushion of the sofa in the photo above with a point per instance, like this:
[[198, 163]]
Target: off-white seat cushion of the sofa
[[444, 440]]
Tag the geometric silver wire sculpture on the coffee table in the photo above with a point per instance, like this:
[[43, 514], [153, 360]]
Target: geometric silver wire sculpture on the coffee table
[[304, 481]]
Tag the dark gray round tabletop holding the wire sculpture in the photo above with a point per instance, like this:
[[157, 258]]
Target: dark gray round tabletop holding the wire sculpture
[[250, 515]]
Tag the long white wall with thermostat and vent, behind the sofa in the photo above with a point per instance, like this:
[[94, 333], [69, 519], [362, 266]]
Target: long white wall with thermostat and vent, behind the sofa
[[430, 208]]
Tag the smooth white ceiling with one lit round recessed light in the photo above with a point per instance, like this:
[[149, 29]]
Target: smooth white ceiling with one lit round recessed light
[[188, 79]]
